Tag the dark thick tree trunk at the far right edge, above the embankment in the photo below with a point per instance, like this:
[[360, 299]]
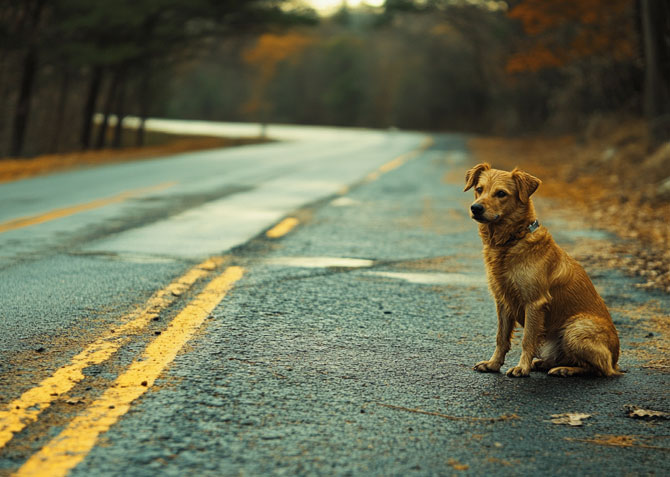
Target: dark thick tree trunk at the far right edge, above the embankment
[[655, 27]]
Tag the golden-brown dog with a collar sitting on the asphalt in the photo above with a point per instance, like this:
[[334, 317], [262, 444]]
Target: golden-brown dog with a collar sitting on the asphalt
[[567, 329]]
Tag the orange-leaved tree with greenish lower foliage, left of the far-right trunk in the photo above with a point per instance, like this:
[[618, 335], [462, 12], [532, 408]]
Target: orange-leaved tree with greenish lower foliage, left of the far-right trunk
[[584, 52]]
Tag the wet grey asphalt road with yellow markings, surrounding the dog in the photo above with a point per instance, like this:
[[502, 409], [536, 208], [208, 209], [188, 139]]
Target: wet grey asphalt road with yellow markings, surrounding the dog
[[306, 307]]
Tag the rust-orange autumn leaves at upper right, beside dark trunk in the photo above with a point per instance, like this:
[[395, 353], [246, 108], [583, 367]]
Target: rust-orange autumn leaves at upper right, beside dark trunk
[[561, 31]]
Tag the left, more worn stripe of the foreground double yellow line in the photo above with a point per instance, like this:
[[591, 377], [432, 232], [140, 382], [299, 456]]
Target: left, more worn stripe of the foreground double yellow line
[[26, 408]]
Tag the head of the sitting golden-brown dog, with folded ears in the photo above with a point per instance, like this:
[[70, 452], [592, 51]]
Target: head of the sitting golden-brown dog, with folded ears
[[500, 196]]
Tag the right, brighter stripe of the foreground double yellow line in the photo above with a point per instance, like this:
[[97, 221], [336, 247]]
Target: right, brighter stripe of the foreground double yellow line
[[70, 447]]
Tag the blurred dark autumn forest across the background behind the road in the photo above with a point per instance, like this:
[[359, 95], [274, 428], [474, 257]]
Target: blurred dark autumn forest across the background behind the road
[[497, 67]]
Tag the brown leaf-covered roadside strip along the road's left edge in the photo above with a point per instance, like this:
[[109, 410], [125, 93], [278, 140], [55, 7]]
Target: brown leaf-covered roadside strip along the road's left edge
[[158, 144]]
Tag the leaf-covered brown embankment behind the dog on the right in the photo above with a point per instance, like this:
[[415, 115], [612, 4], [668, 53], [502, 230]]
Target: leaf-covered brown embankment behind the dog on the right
[[612, 178]]
